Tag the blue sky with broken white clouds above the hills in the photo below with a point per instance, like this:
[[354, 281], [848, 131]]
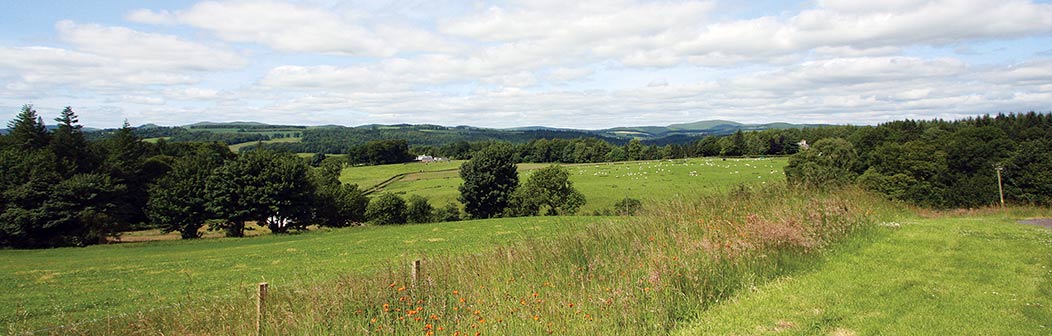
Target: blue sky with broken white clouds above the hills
[[583, 65]]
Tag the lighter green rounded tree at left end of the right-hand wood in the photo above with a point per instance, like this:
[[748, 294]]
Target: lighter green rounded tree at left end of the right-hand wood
[[828, 163]]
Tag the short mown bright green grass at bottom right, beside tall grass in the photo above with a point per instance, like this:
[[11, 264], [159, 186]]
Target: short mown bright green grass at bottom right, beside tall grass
[[981, 275]]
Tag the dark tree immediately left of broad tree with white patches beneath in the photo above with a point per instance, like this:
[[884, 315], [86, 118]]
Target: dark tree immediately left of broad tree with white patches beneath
[[179, 202]]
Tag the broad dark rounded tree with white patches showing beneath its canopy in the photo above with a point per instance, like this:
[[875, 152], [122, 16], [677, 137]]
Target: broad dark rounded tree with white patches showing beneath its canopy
[[273, 189]]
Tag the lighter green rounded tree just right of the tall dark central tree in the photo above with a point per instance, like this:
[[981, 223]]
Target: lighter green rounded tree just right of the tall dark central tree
[[549, 192]]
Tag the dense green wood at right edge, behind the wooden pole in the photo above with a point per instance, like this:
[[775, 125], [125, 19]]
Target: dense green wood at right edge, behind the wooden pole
[[938, 164]]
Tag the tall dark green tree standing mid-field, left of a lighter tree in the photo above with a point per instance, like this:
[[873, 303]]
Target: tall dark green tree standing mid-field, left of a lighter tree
[[490, 180]]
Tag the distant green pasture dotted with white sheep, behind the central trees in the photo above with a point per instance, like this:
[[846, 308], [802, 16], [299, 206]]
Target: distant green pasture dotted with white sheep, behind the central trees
[[603, 185]]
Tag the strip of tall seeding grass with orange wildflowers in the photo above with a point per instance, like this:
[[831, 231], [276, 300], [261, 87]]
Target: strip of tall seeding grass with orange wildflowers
[[639, 278]]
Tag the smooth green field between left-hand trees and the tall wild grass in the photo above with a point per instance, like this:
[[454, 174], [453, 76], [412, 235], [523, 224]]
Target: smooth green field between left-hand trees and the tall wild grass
[[64, 286]]
